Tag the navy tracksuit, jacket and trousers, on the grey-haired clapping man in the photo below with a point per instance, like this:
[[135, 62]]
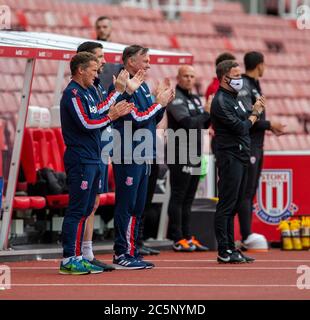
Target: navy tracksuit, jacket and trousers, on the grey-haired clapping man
[[131, 174]]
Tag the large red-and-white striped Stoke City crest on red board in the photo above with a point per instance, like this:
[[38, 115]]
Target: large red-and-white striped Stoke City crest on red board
[[275, 196]]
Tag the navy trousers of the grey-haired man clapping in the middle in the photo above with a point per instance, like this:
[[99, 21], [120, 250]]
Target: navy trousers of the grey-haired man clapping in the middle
[[131, 181]]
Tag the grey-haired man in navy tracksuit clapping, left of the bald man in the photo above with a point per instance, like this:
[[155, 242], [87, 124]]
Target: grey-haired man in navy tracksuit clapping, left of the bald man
[[132, 167]]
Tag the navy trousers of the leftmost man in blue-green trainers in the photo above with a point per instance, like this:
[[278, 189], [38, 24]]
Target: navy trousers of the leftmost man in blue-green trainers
[[83, 185]]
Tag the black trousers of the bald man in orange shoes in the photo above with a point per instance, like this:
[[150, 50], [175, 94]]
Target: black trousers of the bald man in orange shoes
[[183, 189]]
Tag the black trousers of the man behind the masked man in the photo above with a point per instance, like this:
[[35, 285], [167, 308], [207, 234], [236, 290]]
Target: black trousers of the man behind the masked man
[[246, 207]]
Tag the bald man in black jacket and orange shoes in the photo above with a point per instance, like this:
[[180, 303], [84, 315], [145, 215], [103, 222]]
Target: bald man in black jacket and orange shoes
[[185, 113]]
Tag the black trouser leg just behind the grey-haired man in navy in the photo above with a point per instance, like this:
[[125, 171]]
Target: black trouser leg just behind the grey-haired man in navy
[[150, 192]]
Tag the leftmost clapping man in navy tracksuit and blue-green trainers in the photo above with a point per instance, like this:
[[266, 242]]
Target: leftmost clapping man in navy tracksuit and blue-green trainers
[[82, 117]]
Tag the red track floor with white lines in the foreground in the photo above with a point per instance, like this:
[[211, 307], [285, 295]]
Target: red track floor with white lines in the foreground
[[176, 276]]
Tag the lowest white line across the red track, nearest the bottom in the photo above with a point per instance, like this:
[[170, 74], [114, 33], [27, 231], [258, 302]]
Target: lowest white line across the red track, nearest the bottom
[[151, 285]]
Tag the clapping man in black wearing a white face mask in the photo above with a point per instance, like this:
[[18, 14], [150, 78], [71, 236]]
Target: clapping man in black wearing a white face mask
[[231, 124]]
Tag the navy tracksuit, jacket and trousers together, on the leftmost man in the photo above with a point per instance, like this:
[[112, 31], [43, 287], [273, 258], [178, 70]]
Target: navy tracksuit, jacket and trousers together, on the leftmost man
[[83, 115]]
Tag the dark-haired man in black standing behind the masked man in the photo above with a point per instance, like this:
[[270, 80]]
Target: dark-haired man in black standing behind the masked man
[[251, 91]]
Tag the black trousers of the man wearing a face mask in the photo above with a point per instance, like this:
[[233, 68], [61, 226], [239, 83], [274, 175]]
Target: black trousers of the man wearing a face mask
[[232, 174]]
